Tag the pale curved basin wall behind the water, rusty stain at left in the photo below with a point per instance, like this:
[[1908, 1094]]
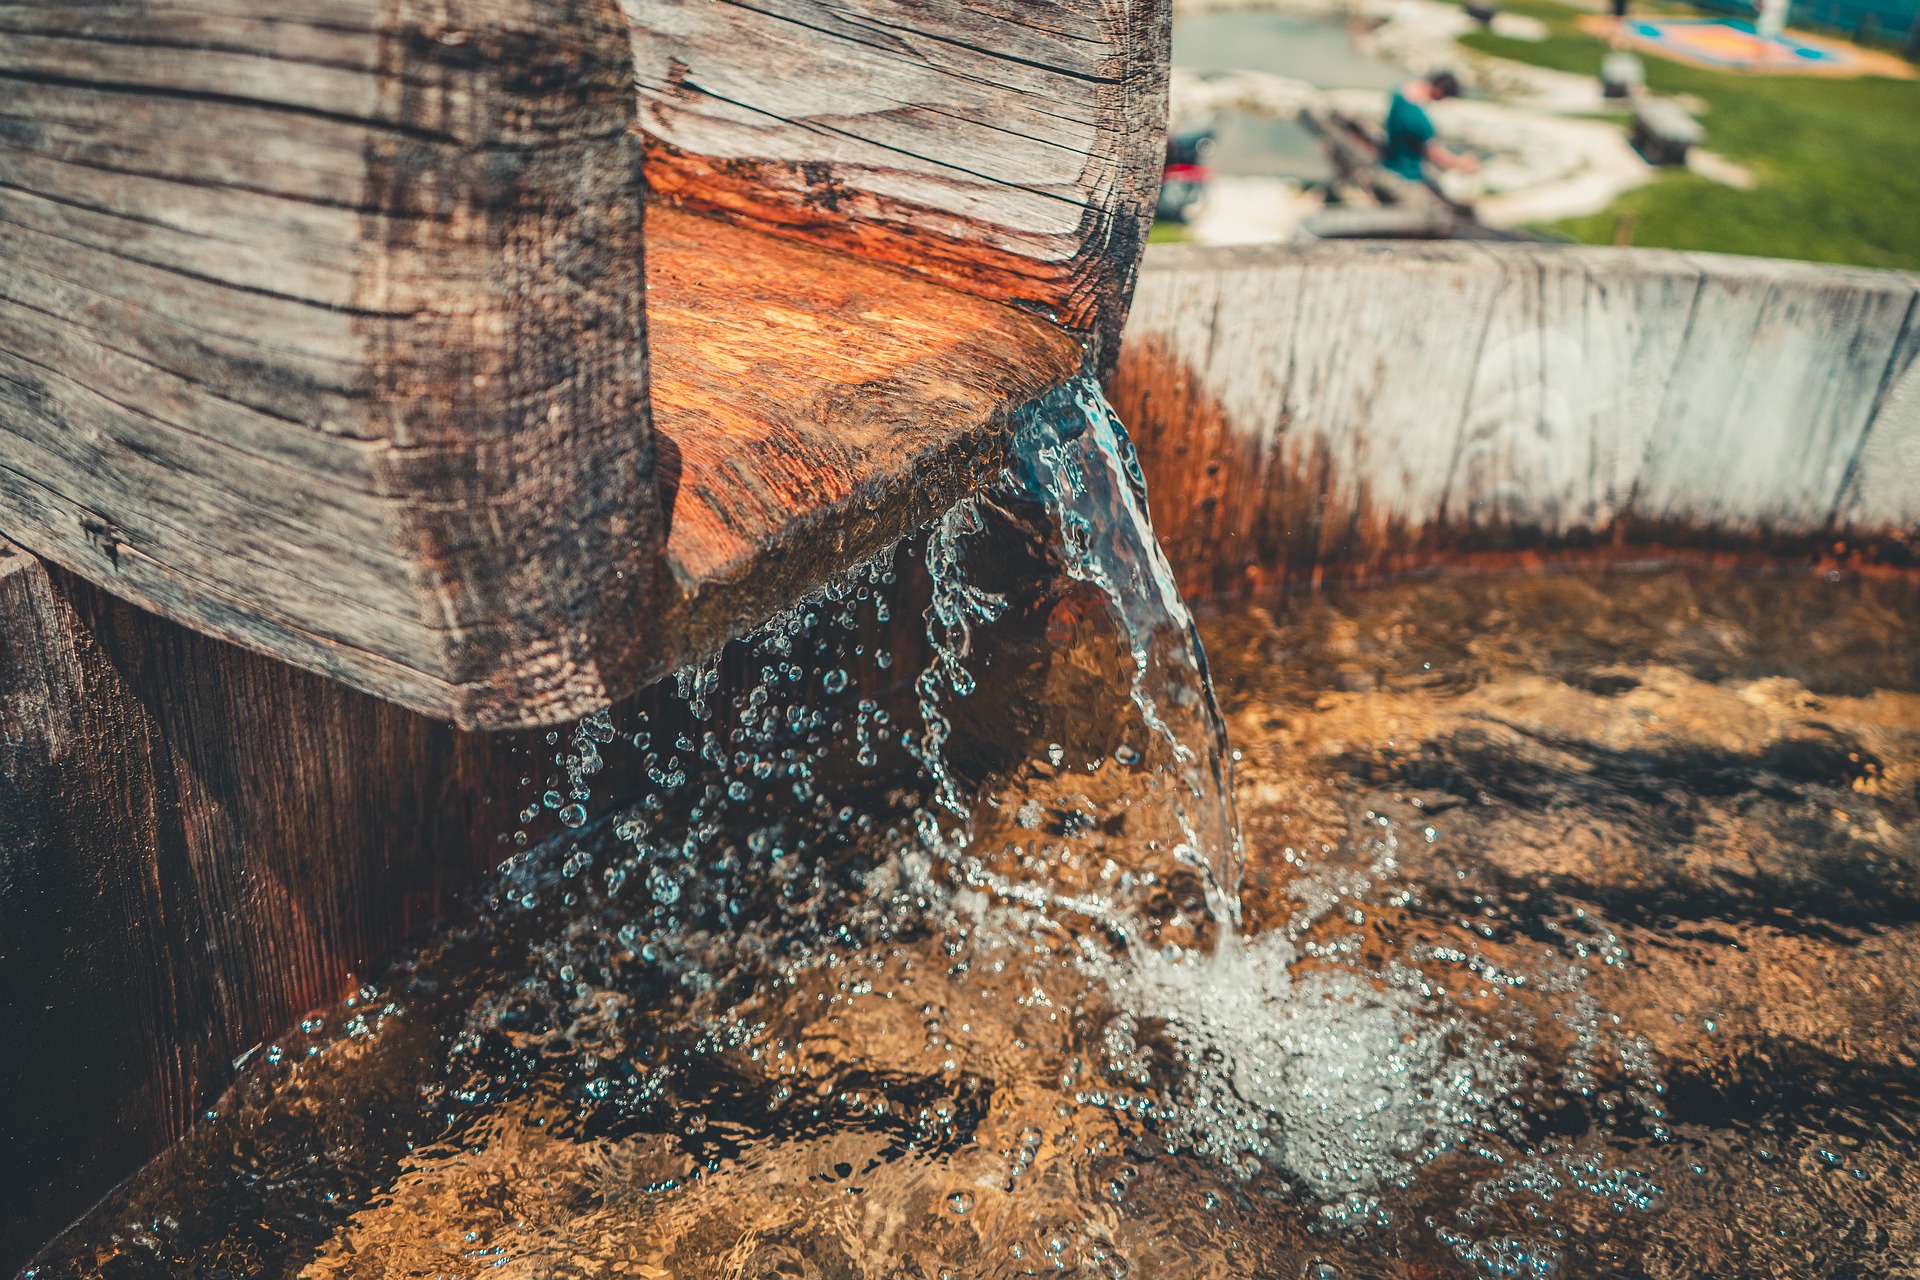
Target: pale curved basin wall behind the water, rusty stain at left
[[1362, 410]]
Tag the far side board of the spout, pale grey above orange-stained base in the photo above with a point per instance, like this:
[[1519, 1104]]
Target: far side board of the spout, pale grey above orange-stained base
[[1009, 149]]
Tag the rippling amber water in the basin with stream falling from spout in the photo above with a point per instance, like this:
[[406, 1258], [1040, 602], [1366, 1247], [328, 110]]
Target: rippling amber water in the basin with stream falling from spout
[[1575, 937]]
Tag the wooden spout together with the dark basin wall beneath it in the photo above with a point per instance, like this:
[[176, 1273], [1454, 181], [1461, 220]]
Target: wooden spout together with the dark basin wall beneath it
[[377, 375]]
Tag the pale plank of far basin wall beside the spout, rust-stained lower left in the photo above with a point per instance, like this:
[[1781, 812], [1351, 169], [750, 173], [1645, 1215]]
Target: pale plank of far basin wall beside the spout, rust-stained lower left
[[1324, 417]]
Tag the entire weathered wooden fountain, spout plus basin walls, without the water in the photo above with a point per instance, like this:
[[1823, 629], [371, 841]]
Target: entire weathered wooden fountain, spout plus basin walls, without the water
[[362, 414]]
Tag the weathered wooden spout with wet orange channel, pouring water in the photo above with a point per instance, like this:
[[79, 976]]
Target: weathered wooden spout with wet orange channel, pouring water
[[325, 331]]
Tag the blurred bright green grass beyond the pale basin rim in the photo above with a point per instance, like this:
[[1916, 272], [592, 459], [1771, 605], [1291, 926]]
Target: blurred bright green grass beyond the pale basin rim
[[1838, 162]]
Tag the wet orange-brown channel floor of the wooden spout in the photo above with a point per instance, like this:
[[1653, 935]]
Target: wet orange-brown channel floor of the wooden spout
[[811, 410]]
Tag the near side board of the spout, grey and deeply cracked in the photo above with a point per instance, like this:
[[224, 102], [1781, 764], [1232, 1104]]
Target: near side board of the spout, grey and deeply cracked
[[324, 333]]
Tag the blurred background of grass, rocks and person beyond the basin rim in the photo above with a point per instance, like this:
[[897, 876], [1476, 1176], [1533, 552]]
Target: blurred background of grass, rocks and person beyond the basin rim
[[1781, 131]]
